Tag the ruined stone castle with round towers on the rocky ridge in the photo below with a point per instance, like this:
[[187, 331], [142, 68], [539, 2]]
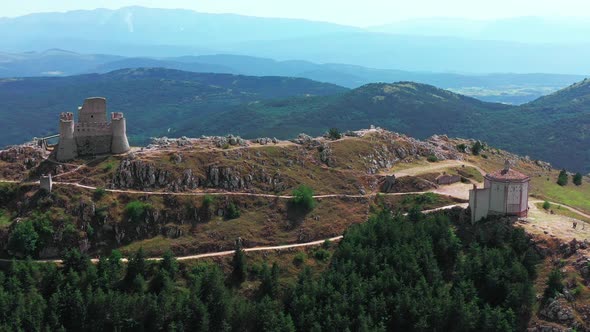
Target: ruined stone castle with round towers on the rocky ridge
[[93, 134]]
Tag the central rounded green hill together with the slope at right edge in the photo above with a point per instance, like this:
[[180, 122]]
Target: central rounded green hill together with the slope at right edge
[[555, 128]]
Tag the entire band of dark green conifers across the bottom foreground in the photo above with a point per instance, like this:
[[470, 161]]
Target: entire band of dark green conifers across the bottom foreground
[[391, 273]]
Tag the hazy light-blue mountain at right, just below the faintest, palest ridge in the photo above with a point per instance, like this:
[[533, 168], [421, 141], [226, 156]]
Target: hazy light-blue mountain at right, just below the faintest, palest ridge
[[424, 53]]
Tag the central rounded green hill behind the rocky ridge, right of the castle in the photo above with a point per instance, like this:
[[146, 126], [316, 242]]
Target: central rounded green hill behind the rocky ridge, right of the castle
[[416, 109]]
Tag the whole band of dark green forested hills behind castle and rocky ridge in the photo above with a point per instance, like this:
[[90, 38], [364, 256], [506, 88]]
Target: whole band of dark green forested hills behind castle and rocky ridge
[[160, 102]]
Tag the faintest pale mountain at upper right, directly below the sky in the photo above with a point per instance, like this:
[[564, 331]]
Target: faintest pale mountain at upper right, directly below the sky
[[517, 29]]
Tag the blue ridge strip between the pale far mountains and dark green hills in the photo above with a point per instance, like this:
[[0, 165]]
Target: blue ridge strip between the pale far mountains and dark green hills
[[506, 88]]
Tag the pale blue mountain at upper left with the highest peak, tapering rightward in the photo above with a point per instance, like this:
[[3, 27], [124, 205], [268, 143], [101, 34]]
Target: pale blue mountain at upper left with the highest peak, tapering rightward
[[147, 26]]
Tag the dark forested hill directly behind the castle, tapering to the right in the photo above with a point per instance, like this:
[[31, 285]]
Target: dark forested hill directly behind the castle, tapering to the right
[[154, 100]]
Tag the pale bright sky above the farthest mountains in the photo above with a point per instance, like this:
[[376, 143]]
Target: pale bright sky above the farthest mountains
[[349, 12]]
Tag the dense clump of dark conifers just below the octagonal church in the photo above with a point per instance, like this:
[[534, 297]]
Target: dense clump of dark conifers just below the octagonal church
[[391, 274]]
